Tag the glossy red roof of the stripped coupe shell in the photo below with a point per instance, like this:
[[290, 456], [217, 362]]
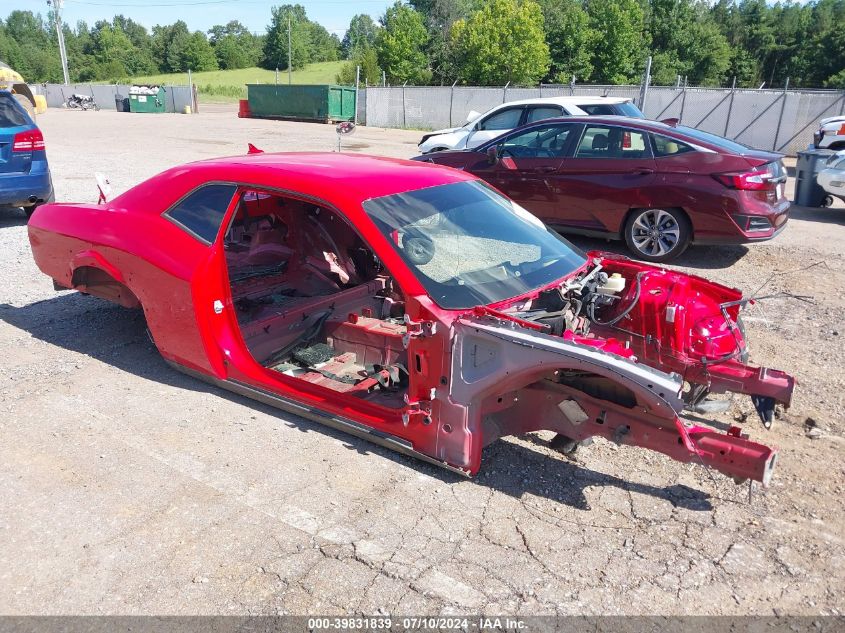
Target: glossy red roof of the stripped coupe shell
[[337, 178]]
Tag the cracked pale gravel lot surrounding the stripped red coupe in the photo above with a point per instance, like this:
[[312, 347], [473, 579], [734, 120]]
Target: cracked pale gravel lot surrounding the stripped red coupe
[[130, 488]]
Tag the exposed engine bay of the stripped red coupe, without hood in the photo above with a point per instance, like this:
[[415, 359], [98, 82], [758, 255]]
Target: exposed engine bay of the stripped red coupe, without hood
[[674, 322]]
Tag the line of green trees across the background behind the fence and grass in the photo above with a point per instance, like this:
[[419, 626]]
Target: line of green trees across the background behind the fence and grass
[[475, 42]]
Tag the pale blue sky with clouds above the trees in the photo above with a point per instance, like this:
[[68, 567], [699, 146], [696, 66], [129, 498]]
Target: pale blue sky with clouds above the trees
[[203, 14]]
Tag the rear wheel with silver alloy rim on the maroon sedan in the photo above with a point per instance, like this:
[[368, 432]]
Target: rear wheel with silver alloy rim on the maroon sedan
[[657, 235]]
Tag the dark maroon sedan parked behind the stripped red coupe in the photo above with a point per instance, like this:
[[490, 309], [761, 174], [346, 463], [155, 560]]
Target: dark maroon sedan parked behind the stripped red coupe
[[657, 186]]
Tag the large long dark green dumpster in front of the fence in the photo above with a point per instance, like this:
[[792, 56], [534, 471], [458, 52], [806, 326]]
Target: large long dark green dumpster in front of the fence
[[324, 103]]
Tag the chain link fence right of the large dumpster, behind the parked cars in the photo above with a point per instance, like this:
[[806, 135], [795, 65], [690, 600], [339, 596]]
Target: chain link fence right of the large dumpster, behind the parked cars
[[780, 120]]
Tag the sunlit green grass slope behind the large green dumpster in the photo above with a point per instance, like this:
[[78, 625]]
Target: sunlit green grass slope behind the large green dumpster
[[226, 85]]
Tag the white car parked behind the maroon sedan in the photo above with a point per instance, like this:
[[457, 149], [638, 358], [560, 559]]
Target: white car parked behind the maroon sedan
[[481, 128]]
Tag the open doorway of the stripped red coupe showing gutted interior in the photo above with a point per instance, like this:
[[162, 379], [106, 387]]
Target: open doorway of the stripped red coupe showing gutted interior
[[312, 300]]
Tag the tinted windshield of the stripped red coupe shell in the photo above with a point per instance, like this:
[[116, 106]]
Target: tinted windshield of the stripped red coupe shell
[[470, 246]]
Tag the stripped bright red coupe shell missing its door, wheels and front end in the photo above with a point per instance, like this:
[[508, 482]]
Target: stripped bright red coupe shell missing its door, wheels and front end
[[412, 305]]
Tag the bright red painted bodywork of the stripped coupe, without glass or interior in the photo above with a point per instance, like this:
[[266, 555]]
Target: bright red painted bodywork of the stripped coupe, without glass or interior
[[179, 281]]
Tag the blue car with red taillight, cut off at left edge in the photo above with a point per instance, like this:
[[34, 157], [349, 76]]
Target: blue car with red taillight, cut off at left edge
[[24, 174]]
